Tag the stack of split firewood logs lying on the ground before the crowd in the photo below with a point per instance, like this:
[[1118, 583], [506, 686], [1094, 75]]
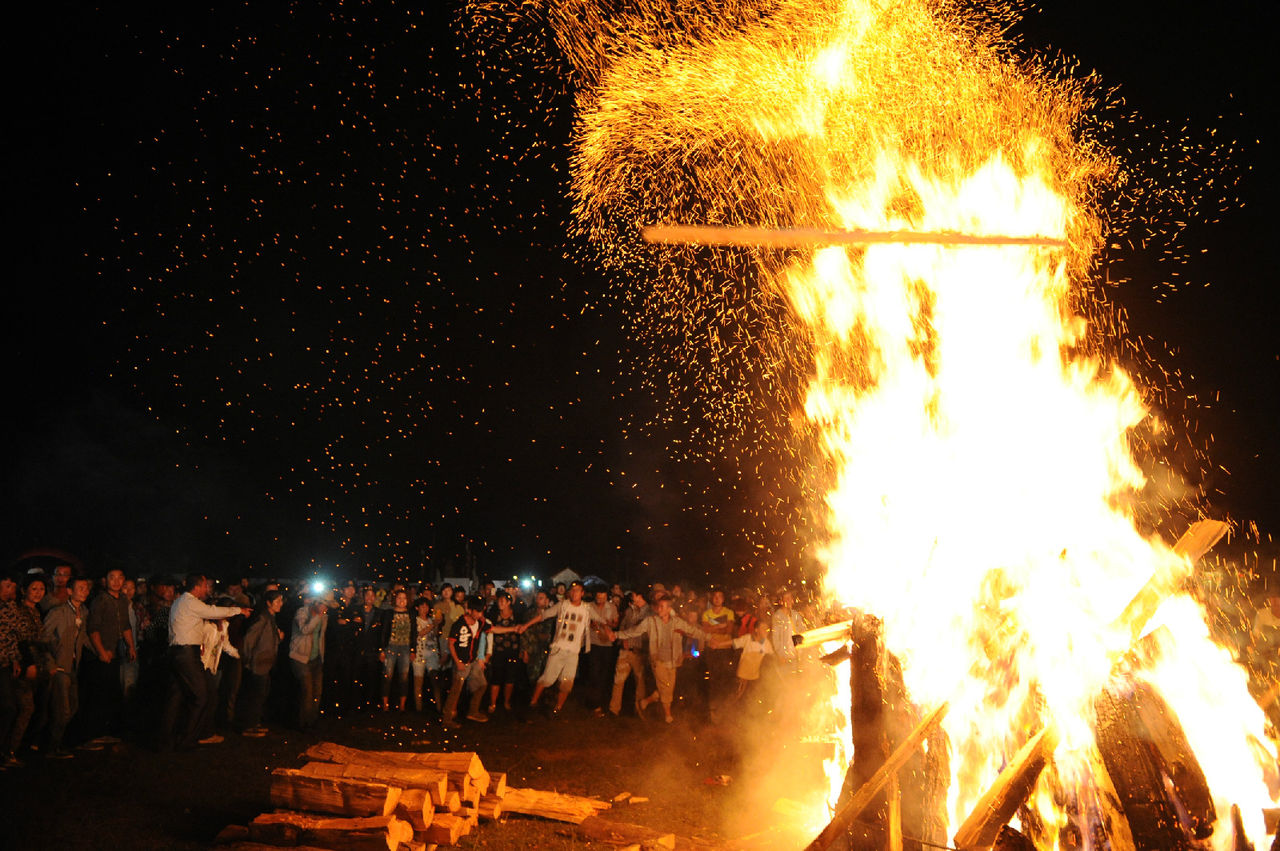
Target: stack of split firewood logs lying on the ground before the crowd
[[355, 800]]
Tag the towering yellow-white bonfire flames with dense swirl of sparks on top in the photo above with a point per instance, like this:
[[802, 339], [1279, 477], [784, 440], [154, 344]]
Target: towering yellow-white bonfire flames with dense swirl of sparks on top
[[981, 445]]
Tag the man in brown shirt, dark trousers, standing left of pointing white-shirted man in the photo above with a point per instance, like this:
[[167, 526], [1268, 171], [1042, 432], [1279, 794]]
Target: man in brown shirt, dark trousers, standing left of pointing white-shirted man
[[112, 642]]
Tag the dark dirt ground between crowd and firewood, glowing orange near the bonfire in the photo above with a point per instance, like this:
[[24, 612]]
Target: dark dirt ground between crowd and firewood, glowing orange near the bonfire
[[131, 797]]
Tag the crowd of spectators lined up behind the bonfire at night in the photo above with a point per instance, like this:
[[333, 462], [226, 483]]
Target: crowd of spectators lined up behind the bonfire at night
[[85, 662]]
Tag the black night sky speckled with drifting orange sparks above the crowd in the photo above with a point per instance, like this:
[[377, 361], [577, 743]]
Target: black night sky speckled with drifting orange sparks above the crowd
[[291, 290]]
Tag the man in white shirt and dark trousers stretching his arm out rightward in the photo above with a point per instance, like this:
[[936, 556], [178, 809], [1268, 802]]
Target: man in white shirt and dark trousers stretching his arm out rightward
[[190, 684]]
